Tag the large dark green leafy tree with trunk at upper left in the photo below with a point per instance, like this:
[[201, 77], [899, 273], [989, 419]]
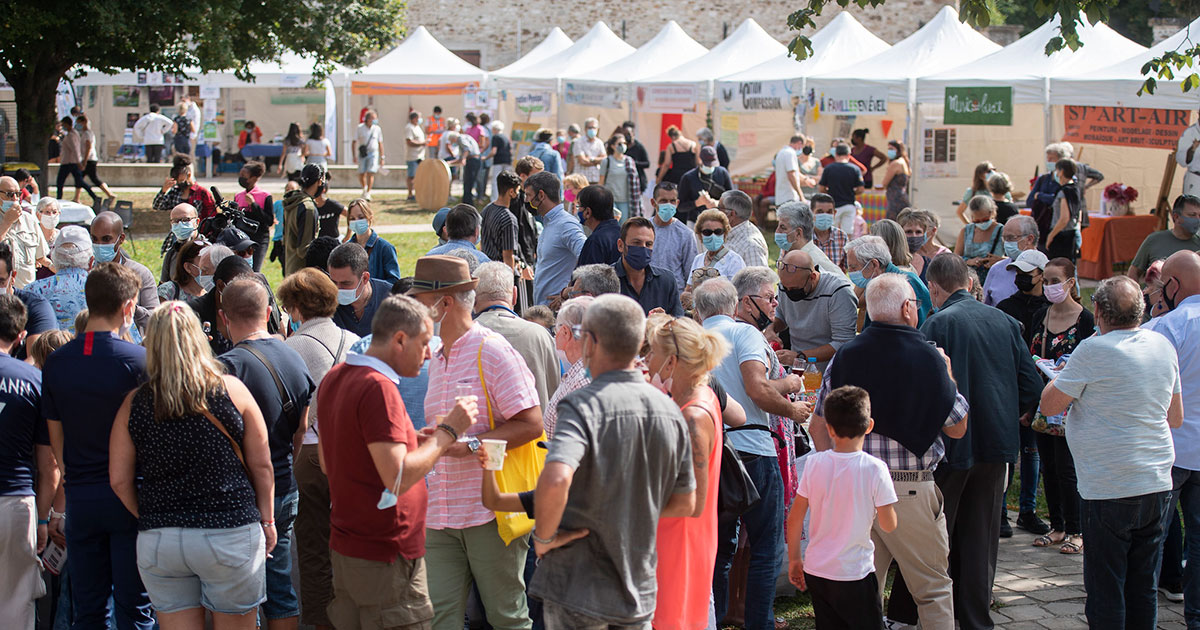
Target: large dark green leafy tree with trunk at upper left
[[39, 45]]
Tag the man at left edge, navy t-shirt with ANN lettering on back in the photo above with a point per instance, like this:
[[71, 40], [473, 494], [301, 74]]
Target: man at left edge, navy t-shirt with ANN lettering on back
[[23, 440]]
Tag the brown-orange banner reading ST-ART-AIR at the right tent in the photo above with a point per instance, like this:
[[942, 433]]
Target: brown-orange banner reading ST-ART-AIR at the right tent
[[1126, 127]]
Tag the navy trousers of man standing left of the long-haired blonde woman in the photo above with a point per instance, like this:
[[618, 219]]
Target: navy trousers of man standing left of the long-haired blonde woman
[[103, 547]]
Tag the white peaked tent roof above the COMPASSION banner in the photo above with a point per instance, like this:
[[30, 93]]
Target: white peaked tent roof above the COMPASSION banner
[[842, 43]]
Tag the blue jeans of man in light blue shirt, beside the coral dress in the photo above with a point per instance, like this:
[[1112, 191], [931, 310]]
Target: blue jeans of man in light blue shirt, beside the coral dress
[[765, 531]]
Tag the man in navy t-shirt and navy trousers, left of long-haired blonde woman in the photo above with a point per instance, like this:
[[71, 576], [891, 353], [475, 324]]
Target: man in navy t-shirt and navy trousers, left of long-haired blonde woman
[[83, 386]]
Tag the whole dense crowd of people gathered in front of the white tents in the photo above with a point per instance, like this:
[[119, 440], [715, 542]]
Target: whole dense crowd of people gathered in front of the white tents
[[581, 412]]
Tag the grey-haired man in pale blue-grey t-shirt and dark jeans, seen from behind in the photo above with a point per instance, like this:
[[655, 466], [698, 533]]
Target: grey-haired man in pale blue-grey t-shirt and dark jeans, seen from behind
[[1118, 431]]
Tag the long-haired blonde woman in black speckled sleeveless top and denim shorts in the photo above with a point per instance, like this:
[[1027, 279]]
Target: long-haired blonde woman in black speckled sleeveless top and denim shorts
[[206, 507]]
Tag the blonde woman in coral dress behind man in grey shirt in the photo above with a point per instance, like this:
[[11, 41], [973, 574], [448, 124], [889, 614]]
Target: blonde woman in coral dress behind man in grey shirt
[[681, 358]]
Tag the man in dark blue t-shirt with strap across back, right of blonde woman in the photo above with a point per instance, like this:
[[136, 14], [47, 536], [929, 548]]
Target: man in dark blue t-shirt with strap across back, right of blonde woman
[[279, 380]]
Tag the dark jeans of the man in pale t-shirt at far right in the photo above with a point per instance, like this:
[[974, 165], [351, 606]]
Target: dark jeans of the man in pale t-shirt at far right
[[1124, 543]]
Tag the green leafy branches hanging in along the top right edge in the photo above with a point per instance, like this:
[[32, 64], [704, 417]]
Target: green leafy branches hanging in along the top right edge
[[1126, 16]]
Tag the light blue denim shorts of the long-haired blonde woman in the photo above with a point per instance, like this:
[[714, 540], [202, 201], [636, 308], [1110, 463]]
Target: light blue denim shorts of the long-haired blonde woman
[[219, 569]]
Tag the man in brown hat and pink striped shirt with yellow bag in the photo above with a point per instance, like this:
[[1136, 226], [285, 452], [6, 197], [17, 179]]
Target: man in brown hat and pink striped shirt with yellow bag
[[463, 542]]
